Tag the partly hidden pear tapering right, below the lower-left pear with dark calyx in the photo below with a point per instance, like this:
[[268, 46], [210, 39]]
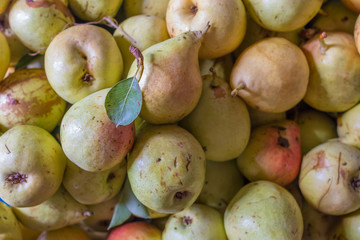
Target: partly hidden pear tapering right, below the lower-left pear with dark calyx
[[59, 211]]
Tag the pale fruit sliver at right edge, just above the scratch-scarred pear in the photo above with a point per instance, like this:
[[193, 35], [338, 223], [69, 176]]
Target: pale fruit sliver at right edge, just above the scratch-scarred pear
[[347, 126]]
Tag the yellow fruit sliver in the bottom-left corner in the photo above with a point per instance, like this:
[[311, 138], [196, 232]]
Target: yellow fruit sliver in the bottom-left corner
[[9, 225]]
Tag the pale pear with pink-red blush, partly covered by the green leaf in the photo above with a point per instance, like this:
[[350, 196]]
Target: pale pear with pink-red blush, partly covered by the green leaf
[[86, 126]]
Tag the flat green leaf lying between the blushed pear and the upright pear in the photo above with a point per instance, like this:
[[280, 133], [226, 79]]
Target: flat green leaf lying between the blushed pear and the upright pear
[[123, 102]]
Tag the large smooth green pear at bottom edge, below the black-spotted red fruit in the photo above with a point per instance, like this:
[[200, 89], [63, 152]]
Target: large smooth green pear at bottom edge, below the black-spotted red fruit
[[263, 210]]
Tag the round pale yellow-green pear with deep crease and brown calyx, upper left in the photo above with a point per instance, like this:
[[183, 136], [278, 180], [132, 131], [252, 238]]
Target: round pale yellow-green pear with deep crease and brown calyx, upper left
[[82, 60]]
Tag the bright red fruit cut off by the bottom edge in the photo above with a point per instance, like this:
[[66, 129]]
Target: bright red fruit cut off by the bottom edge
[[135, 231]]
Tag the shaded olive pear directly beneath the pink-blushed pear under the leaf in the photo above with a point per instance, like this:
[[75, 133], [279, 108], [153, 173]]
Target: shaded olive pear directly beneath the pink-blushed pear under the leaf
[[93, 188]]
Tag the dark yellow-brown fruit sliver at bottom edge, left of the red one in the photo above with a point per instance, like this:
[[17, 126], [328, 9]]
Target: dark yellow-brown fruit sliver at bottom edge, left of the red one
[[69, 233]]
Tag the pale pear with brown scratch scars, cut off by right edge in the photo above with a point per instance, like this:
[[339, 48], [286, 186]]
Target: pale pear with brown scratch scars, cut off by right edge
[[330, 178]]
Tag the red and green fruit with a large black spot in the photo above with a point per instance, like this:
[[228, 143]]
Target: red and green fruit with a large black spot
[[273, 153]]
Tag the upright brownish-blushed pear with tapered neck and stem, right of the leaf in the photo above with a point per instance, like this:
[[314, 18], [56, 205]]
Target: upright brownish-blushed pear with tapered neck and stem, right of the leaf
[[170, 81]]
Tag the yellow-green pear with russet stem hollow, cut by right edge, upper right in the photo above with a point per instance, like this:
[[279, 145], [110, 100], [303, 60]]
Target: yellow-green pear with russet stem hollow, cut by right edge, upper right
[[334, 72]]
